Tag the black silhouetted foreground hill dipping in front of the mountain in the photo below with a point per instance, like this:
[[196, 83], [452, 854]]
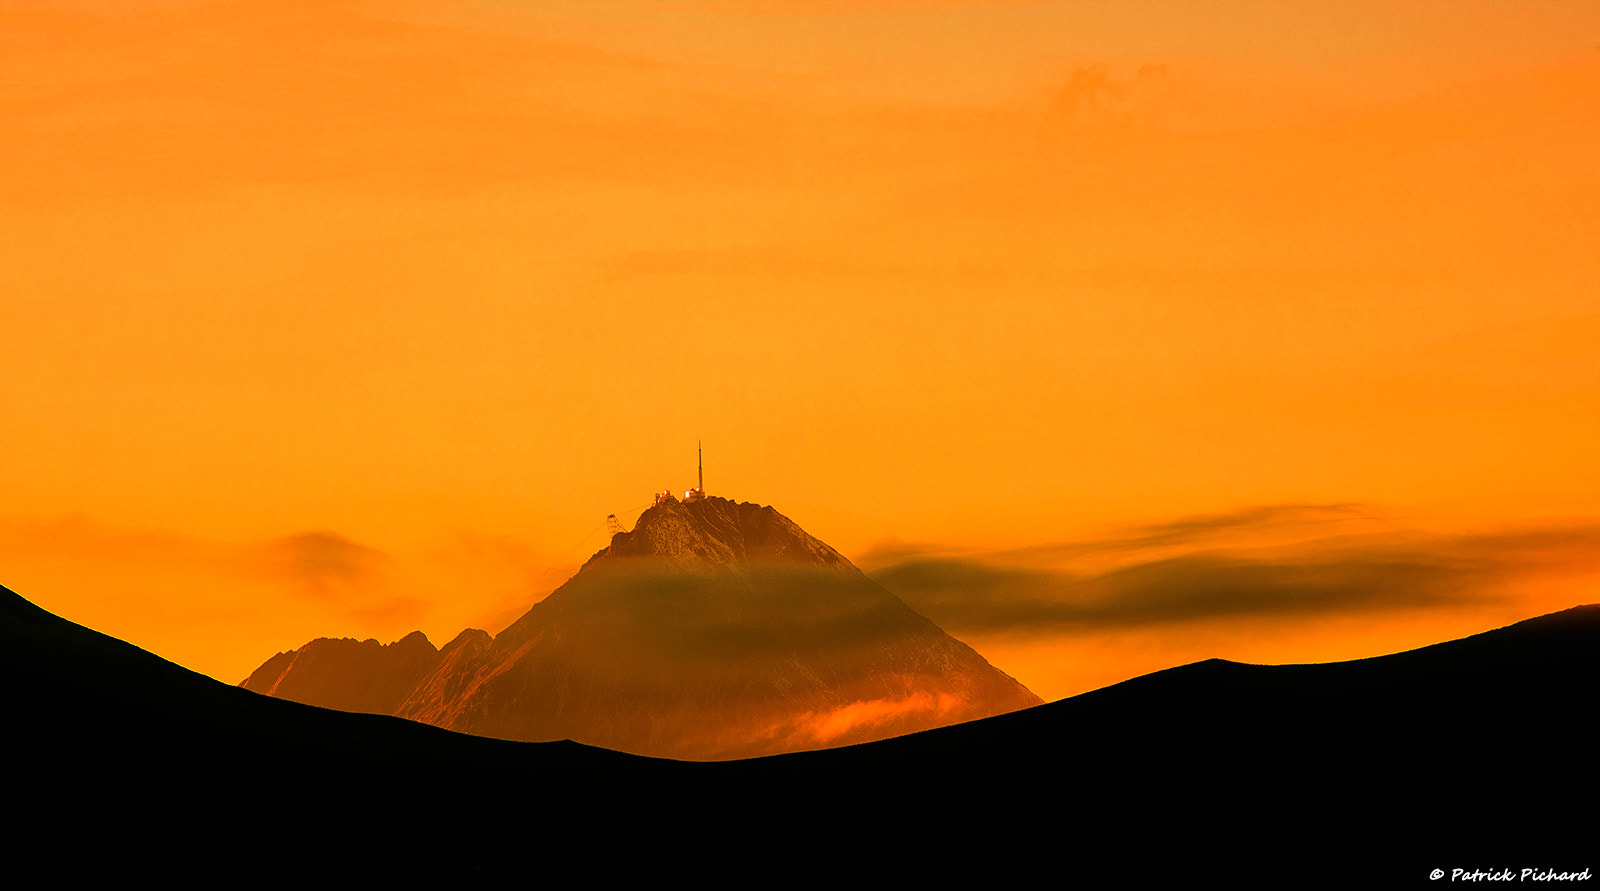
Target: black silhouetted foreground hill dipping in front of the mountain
[[1474, 754]]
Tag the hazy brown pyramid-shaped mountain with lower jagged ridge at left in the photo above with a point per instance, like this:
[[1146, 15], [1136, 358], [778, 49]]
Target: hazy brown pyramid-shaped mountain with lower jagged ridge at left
[[711, 631]]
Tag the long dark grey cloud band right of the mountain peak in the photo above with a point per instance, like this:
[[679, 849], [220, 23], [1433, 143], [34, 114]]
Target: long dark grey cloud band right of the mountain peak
[[1265, 562]]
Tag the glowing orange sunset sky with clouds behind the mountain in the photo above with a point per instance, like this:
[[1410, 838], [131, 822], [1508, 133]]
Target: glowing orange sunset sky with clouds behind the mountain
[[1110, 334]]
